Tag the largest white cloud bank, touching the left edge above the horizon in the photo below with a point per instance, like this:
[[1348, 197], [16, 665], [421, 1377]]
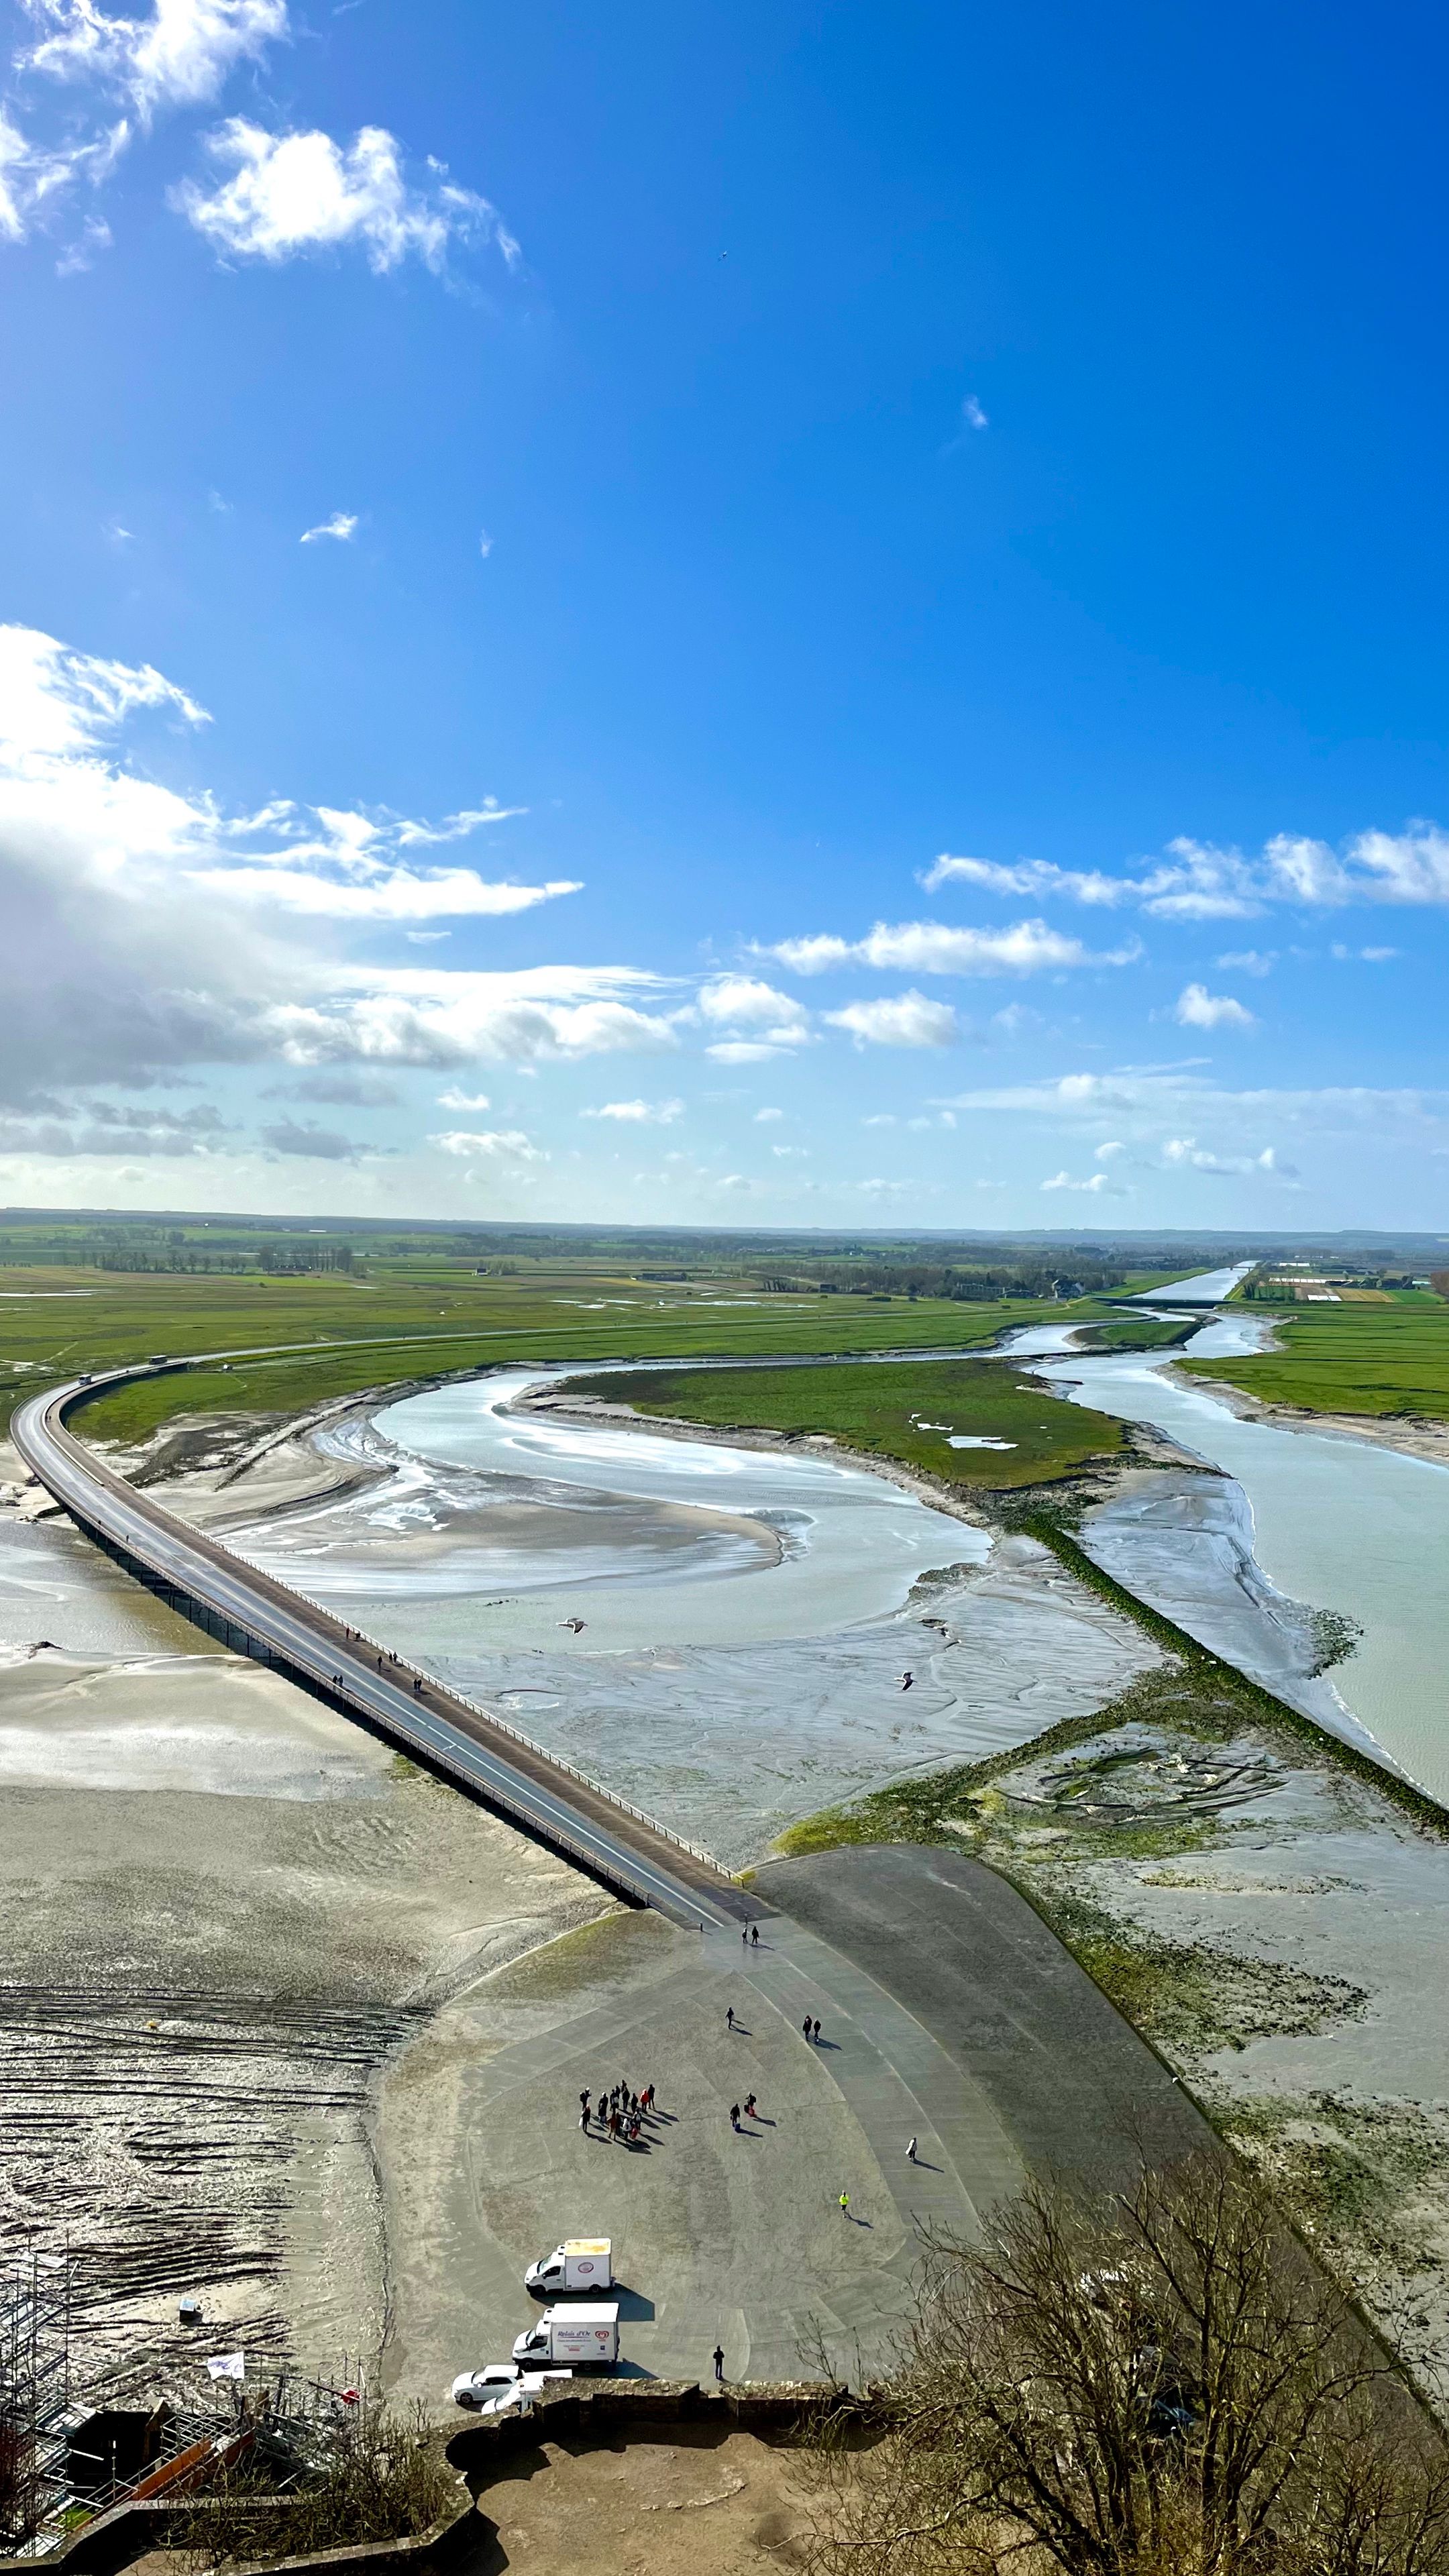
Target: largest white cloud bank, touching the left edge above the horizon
[[151, 934]]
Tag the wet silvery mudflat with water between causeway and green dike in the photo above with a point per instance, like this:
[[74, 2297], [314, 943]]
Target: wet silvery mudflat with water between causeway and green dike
[[718, 1632]]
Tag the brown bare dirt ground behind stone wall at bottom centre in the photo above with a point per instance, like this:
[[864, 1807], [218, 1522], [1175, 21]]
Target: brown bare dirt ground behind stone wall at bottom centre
[[703, 2503]]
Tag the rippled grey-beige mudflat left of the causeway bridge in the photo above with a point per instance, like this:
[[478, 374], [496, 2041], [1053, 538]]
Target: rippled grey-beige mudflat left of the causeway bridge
[[223, 1915]]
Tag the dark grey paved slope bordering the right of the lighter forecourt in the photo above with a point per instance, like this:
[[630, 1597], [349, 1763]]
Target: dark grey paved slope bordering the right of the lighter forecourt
[[1076, 2090]]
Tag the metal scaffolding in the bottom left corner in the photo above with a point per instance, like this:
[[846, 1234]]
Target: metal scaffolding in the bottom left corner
[[35, 2394]]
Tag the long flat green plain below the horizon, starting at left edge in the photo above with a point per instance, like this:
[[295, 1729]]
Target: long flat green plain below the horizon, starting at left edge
[[427, 1315]]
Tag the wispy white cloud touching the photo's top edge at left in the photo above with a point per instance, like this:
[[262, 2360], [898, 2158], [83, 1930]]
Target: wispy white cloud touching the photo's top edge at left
[[179, 55]]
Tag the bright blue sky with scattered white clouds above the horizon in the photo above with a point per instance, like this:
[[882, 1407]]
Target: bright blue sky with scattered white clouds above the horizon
[[726, 614]]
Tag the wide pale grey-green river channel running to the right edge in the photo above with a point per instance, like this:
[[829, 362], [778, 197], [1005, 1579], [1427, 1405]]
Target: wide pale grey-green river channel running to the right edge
[[1332, 1521]]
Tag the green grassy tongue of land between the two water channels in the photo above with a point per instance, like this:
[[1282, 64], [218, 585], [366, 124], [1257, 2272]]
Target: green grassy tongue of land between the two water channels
[[888, 1413]]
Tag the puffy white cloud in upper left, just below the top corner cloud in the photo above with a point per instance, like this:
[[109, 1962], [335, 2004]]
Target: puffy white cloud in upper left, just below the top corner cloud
[[290, 194]]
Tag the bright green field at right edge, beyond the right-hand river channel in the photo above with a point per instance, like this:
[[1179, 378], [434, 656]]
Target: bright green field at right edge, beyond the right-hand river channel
[[1350, 1359]]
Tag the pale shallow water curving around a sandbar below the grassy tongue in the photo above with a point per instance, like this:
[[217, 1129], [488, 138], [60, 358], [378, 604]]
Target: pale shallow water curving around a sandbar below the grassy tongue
[[651, 1542]]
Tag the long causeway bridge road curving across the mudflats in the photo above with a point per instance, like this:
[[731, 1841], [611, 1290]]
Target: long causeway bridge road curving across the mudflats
[[254, 1611]]
